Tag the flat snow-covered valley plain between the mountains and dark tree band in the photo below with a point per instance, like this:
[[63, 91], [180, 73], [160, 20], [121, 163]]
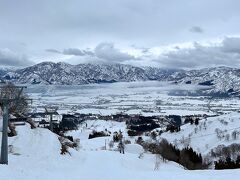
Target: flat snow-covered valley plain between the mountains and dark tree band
[[148, 98]]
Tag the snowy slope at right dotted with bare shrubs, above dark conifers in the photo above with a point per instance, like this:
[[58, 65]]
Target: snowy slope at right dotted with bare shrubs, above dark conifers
[[209, 134]]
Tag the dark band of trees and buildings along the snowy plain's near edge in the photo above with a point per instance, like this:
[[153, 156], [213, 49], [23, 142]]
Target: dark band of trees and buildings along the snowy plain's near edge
[[51, 119]]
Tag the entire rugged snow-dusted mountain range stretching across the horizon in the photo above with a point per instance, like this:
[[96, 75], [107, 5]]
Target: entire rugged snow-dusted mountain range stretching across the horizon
[[221, 79]]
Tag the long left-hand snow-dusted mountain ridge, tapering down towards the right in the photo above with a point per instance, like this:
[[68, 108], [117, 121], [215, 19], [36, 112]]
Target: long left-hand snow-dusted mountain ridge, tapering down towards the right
[[63, 73]]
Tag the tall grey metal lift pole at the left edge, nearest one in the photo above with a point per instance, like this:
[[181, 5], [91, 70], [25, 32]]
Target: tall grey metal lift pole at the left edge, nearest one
[[5, 101]]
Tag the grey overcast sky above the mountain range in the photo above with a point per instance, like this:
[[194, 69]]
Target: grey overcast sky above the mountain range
[[165, 33]]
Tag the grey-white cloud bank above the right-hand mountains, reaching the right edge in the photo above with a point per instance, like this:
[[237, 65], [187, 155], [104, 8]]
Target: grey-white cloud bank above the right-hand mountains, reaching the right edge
[[227, 53]]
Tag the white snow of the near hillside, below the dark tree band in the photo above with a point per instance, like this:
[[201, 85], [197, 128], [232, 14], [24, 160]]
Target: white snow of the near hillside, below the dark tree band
[[35, 153]]
